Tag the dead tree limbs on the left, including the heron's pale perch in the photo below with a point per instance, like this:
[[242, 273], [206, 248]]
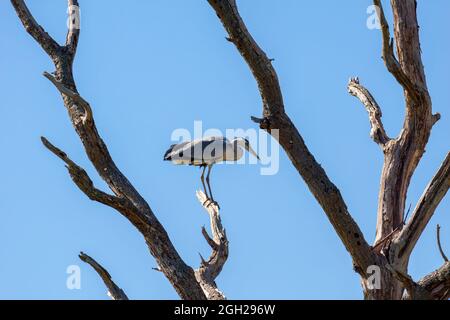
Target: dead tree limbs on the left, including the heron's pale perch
[[191, 284]]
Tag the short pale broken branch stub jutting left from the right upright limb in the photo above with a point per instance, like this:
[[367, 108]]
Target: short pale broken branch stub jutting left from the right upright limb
[[377, 133]]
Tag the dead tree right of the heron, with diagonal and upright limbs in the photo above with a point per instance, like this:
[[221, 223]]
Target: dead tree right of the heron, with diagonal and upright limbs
[[395, 238]]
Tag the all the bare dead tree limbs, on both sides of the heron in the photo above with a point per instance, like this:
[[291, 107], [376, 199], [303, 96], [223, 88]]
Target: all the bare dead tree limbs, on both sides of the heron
[[395, 238]]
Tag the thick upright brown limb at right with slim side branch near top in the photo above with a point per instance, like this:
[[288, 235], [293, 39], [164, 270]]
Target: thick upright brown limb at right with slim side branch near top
[[403, 153]]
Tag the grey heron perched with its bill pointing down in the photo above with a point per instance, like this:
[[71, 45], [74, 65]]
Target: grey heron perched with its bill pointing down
[[206, 152]]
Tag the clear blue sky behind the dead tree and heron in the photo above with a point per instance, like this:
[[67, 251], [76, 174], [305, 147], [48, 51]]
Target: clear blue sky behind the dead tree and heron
[[151, 67]]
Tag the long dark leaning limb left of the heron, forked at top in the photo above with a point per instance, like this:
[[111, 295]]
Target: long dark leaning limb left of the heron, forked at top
[[181, 276]]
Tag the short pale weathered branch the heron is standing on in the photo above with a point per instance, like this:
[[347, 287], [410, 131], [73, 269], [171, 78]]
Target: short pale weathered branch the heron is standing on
[[211, 268]]
